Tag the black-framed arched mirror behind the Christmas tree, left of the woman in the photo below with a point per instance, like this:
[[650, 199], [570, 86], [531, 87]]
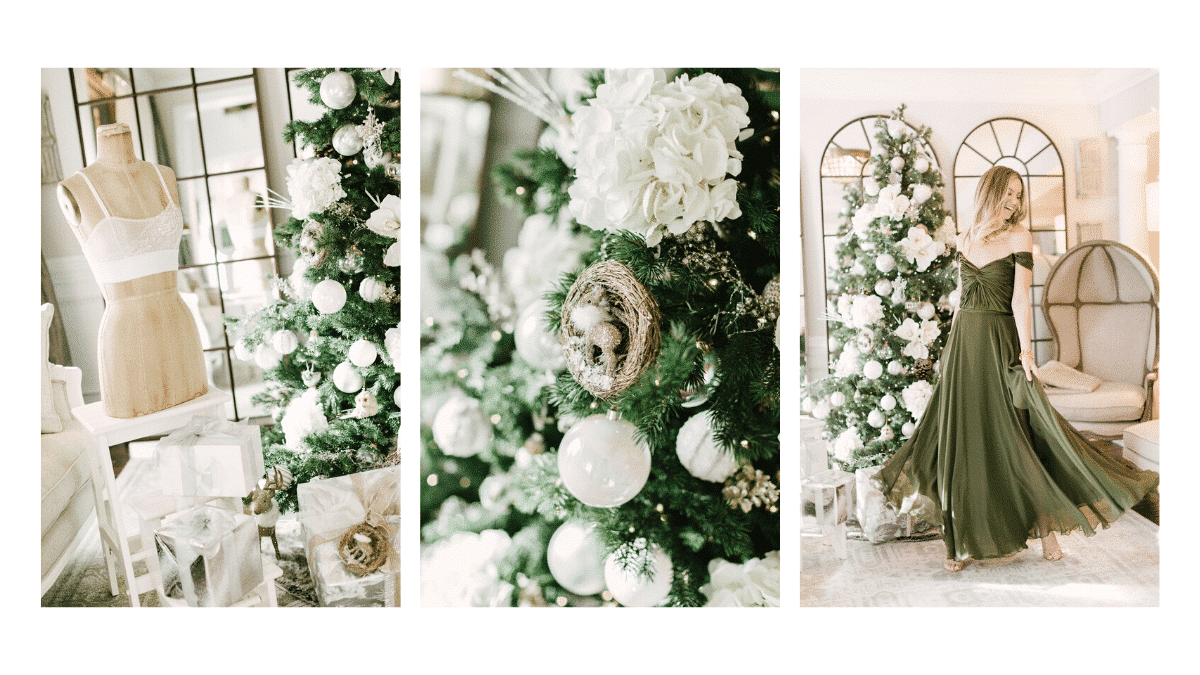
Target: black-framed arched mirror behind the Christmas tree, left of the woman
[[844, 165]]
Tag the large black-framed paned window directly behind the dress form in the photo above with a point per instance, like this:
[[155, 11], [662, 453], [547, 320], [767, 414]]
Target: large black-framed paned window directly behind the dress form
[[205, 124]]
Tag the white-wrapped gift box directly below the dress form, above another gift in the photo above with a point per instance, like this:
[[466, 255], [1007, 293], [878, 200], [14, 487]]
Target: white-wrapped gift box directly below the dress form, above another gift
[[211, 458]]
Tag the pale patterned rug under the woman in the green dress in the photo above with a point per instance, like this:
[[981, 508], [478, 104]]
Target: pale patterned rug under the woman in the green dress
[[1118, 568]]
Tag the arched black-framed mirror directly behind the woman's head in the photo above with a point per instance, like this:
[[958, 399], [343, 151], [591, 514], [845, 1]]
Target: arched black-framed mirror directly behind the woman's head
[[1028, 151]]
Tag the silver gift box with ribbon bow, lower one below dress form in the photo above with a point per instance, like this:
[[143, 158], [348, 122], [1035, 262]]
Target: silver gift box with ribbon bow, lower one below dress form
[[209, 557]]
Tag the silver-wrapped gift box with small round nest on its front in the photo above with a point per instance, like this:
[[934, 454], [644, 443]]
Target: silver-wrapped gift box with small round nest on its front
[[332, 506]]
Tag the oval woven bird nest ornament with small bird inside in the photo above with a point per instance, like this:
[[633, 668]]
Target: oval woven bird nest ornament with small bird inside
[[610, 330]]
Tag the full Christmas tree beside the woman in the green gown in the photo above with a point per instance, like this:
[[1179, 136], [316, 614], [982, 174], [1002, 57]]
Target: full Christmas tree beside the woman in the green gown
[[896, 277]]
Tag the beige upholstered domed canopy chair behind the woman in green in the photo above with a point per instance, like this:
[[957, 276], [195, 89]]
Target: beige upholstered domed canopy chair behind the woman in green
[[1101, 301]]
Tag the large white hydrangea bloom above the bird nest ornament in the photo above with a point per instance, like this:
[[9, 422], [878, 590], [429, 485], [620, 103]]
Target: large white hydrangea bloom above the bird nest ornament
[[653, 156]]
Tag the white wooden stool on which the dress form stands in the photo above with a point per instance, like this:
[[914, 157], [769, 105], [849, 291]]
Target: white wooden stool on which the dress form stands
[[107, 432]]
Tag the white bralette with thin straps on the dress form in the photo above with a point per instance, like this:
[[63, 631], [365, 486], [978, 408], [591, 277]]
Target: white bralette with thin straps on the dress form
[[121, 249]]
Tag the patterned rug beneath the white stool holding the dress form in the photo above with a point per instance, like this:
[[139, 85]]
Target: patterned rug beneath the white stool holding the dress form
[[85, 582]]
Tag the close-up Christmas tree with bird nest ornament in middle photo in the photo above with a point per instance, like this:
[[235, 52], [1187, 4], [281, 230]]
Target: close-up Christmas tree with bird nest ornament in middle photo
[[616, 438]]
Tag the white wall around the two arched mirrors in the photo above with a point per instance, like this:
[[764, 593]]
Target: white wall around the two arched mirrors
[[1066, 105]]
